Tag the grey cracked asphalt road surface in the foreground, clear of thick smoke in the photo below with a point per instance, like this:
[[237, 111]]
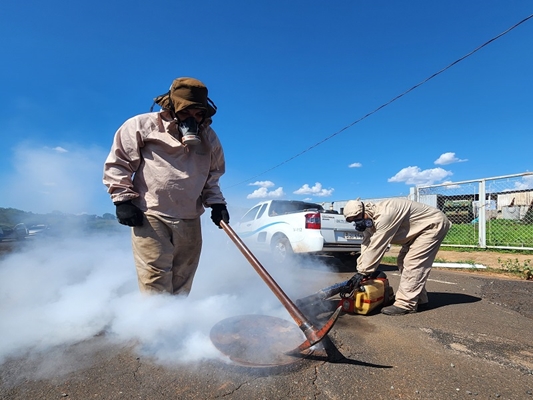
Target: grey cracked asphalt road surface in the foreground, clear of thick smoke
[[474, 342]]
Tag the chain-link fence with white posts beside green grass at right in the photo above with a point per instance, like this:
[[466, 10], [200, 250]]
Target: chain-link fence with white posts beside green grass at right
[[486, 213]]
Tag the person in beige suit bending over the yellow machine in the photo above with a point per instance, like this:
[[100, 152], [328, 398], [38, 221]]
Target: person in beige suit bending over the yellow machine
[[419, 228]]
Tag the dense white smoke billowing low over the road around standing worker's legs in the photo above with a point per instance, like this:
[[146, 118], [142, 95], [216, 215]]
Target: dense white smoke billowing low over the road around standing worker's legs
[[58, 292]]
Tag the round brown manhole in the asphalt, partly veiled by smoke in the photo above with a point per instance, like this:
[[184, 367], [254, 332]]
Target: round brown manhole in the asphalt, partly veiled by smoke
[[258, 340]]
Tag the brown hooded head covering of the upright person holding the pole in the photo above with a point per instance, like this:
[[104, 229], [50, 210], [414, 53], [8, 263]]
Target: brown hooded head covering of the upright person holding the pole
[[185, 93]]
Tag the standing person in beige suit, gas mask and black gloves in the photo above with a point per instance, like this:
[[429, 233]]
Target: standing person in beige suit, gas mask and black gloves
[[163, 169]]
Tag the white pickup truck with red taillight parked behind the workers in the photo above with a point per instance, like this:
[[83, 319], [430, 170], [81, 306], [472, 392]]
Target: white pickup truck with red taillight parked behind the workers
[[284, 227]]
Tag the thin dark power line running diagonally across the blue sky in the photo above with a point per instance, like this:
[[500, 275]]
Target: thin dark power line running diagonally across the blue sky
[[388, 102]]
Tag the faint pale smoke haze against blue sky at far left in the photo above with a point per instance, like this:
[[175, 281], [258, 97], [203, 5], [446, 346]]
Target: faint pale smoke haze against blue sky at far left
[[48, 179]]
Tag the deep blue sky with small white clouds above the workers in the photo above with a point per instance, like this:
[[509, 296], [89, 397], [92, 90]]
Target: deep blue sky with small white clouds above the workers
[[284, 76]]
